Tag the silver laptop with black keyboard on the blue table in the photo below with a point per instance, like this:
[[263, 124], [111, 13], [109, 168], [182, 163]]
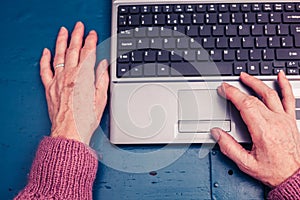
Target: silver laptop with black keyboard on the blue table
[[168, 58]]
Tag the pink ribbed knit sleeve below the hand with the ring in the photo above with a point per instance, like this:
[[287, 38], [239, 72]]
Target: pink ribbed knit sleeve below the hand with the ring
[[62, 169]]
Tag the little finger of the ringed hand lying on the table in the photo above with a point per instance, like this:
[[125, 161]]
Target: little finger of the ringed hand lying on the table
[[45, 68]]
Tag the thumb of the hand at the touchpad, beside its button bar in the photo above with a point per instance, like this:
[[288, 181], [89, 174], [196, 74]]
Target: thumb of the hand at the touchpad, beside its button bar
[[232, 149]]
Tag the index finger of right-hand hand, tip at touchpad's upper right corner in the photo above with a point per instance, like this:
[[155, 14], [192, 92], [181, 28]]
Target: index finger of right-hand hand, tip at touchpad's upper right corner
[[251, 109]]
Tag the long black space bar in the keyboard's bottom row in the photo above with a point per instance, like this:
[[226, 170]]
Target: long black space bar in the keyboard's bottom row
[[201, 69]]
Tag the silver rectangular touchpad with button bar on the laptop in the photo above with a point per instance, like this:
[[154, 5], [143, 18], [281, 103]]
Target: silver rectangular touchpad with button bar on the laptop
[[201, 110]]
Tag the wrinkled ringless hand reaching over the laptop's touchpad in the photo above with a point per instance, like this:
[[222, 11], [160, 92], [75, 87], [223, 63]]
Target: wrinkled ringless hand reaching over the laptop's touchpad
[[275, 153]]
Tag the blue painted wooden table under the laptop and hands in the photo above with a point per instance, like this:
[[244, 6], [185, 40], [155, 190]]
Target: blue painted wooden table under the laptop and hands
[[29, 26]]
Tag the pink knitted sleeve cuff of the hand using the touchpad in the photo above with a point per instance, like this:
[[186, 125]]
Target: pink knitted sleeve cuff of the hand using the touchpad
[[289, 189]]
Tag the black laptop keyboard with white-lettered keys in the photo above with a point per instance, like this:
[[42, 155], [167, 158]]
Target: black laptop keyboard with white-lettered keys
[[208, 40]]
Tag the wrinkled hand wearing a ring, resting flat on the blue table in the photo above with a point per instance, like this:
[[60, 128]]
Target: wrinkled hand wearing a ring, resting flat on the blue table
[[76, 98]]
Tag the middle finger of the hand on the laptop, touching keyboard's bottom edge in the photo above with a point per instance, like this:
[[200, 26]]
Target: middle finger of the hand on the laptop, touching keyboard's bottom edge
[[269, 96]]
